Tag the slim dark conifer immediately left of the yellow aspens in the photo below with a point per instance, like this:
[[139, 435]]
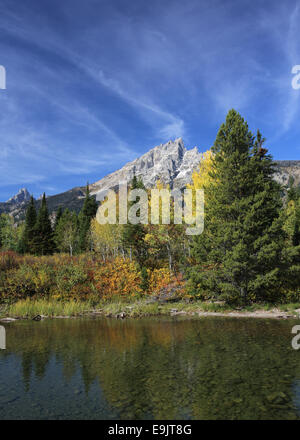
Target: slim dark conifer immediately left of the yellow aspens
[[87, 213]]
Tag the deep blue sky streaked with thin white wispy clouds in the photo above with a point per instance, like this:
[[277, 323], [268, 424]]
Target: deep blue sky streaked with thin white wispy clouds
[[93, 84]]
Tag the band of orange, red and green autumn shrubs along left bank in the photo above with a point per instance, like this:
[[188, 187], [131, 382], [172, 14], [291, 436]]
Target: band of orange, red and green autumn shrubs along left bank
[[85, 277]]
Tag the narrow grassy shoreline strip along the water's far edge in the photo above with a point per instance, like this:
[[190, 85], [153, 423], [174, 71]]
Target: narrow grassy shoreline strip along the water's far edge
[[146, 309]]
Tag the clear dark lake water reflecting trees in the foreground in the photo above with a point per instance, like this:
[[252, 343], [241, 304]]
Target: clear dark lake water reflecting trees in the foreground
[[209, 368]]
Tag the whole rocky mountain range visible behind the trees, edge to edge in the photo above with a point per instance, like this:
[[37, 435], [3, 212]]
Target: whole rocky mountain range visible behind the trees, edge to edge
[[171, 162]]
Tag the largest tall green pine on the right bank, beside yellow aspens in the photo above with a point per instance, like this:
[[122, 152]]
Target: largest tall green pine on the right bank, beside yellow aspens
[[239, 255]]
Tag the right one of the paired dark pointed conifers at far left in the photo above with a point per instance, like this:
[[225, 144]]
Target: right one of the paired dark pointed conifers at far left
[[43, 242]]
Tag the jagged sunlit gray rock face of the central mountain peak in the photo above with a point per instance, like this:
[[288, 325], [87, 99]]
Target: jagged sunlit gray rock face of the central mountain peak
[[172, 163]]
